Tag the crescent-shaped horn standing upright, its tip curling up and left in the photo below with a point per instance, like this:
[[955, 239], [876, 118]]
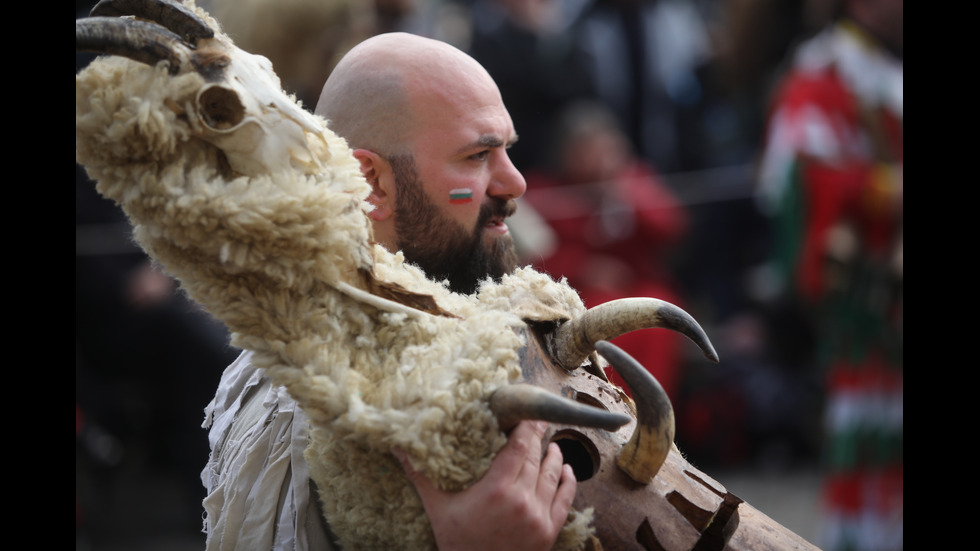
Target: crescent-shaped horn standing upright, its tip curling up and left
[[643, 455]]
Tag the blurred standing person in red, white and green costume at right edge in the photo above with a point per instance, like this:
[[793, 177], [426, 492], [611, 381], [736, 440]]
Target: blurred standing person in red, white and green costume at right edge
[[832, 177]]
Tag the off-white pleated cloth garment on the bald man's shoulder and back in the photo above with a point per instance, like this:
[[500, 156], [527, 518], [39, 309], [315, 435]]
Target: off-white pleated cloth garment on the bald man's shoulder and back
[[259, 491]]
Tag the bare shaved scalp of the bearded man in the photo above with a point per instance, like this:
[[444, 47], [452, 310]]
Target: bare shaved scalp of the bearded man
[[380, 90]]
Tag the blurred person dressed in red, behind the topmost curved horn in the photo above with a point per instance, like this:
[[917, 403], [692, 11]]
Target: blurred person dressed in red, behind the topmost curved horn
[[615, 224]]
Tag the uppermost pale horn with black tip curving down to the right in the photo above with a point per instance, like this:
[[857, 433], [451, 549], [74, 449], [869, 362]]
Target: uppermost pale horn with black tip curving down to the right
[[575, 339]]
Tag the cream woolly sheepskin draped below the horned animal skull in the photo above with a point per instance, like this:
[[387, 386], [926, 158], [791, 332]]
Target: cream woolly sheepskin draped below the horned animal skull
[[283, 255]]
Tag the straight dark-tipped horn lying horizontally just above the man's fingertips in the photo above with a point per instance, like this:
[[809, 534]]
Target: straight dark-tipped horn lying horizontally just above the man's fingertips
[[514, 403]]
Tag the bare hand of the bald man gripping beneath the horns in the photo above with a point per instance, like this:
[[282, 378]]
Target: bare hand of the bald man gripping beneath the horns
[[520, 503]]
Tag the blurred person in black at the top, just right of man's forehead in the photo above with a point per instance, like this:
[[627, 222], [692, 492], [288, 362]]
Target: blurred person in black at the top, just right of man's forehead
[[528, 49]]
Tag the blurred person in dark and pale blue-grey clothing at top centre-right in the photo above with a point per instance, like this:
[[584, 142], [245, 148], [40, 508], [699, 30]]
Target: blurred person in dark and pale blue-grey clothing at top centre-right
[[643, 62]]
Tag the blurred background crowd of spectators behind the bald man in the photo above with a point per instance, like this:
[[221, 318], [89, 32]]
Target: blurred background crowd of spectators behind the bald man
[[742, 159]]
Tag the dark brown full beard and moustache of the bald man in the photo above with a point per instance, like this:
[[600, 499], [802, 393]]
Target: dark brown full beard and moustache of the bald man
[[441, 246]]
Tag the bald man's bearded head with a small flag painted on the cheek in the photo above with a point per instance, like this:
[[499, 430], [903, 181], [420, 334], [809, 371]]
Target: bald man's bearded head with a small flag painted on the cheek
[[427, 124]]
